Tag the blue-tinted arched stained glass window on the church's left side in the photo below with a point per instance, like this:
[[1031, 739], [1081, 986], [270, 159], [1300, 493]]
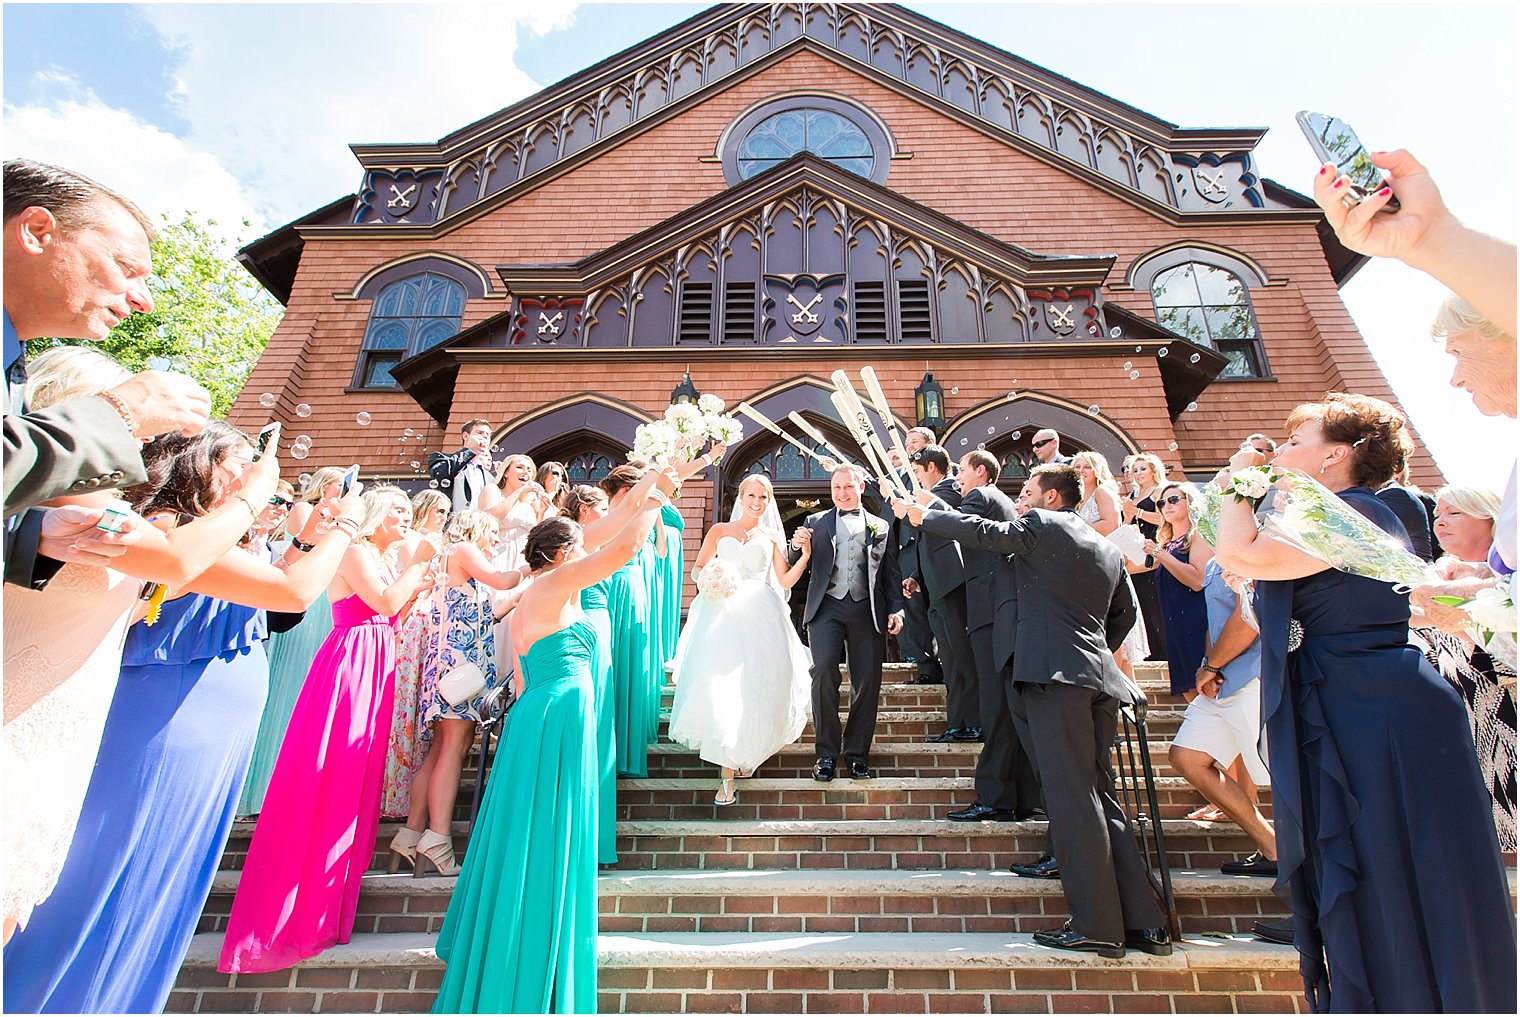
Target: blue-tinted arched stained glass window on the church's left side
[[408, 317]]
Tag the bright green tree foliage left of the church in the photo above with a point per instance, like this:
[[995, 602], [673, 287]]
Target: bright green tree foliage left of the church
[[211, 318]]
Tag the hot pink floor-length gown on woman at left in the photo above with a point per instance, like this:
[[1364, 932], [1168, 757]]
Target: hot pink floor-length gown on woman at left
[[315, 837]]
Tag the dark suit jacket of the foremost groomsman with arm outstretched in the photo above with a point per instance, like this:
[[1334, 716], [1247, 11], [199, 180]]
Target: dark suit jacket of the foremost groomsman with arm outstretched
[[1074, 604]]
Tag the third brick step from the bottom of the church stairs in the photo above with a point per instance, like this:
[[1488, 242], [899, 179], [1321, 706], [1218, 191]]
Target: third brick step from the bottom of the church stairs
[[882, 844]]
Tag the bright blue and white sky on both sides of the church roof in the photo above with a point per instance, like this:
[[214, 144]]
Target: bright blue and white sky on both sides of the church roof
[[229, 112]]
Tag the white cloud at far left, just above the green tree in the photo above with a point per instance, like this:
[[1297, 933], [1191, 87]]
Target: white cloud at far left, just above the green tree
[[159, 171]]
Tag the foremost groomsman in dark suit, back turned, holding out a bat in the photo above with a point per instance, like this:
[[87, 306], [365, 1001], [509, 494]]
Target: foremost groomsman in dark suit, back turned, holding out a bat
[[1074, 612]]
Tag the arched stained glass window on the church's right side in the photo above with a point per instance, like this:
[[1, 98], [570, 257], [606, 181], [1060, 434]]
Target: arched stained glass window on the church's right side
[[1211, 306]]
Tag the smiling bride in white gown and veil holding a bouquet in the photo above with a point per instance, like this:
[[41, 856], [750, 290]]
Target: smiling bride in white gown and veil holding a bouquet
[[743, 683]]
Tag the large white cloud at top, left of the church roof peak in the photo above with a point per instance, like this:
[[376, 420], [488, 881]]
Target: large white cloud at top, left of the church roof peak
[[279, 92]]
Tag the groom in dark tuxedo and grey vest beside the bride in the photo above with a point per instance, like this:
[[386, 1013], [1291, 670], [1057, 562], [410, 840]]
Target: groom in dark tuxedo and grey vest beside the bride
[[855, 598]]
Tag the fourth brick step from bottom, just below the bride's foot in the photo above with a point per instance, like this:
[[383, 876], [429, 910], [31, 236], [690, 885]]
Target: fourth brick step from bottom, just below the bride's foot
[[843, 799]]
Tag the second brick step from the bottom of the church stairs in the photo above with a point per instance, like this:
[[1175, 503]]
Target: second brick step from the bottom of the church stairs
[[805, 901]]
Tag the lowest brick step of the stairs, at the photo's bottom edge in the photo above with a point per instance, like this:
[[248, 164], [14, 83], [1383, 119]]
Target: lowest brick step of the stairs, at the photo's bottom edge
[[788, 974]]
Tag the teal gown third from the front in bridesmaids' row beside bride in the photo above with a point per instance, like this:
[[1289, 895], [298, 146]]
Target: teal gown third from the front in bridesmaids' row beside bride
[[636, 712]]
